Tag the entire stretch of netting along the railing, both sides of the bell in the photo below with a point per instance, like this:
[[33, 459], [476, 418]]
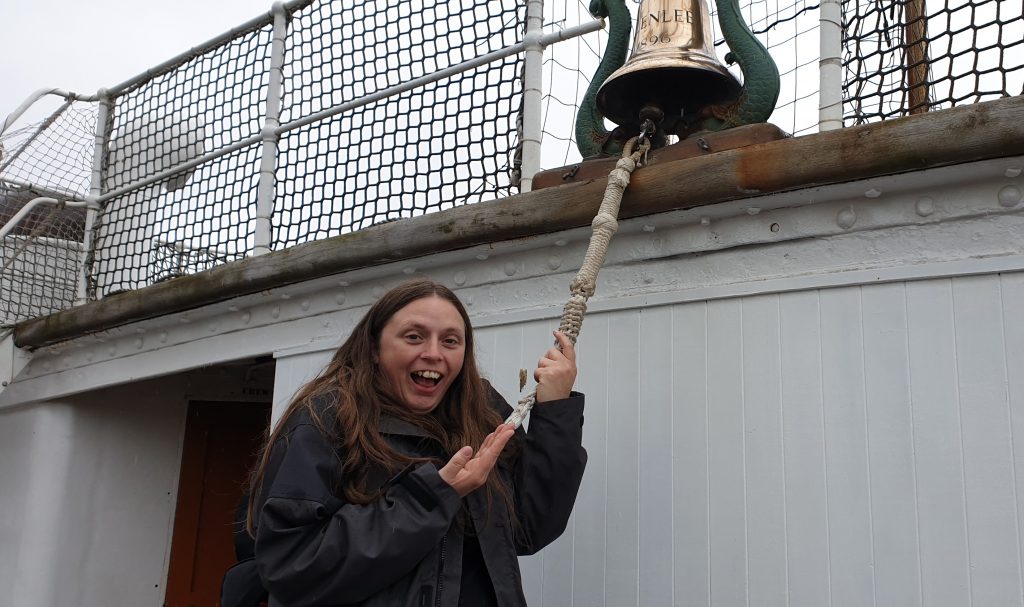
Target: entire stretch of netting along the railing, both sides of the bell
[[450, 143]]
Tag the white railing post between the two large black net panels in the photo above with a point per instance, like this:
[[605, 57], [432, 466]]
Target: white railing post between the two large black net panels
[[264, 230]]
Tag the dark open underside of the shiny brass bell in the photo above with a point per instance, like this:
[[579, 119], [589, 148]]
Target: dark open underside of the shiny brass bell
[[678, 91]]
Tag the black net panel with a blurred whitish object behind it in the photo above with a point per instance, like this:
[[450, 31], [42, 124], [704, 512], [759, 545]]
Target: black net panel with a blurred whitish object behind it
[[175, 227]]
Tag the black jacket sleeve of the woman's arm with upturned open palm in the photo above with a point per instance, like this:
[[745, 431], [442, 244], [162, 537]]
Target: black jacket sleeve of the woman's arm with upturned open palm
[[312, 548]]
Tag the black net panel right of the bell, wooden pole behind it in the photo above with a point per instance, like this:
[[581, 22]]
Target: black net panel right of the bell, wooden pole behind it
[[909, 57]]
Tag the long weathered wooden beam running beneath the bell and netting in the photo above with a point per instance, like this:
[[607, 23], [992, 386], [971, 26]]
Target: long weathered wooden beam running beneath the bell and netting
[[994, 129]]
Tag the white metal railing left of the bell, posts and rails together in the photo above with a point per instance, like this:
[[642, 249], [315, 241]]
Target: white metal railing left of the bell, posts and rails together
[[532, 47]]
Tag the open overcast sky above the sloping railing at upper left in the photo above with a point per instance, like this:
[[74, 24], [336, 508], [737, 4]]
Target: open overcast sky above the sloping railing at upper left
[[82, 46]]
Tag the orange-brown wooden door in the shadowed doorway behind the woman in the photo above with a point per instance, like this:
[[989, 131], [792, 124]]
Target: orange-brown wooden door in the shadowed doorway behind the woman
[[221, 446]]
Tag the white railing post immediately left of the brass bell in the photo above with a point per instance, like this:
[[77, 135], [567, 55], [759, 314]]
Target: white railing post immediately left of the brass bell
[[533, 95]]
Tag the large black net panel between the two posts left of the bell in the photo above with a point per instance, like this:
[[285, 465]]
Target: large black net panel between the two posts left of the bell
[[448, 144]]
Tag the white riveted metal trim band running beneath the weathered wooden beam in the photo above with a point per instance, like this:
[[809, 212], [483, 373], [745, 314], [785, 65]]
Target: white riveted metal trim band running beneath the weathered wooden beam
[[943, 223]]
